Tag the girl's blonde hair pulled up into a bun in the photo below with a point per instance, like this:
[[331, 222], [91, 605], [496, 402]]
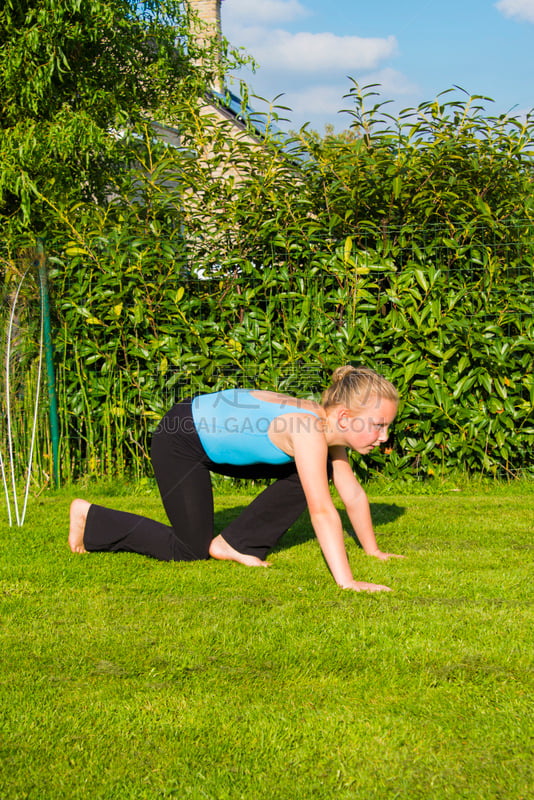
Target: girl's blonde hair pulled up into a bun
[[353, 386]]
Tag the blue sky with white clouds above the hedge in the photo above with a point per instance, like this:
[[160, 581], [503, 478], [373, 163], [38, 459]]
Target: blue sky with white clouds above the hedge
[[308, 50]]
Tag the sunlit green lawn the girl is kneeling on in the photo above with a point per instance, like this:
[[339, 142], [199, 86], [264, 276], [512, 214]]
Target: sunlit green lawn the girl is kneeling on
[[122, 677]]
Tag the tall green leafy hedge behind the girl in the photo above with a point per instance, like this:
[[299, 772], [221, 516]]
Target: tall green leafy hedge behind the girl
[[407, 248]]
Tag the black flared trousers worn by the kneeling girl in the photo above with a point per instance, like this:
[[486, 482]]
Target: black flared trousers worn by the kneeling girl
[[182, 471]]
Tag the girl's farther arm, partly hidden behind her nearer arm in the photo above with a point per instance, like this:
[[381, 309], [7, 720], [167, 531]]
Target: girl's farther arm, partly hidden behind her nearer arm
[[356, 503]]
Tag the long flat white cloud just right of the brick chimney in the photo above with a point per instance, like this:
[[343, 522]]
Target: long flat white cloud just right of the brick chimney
[[314, 52]]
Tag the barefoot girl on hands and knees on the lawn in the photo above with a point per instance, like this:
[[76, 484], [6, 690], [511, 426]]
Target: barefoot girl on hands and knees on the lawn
[[255, 434]]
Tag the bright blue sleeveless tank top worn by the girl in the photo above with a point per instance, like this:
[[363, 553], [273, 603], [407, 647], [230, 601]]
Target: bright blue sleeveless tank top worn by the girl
[[232, 426]]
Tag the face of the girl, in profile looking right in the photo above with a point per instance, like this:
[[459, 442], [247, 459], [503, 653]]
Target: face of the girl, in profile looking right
[[368, 426]]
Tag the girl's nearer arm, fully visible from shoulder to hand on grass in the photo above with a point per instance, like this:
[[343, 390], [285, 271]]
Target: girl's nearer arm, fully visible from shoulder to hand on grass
[[311, 452]]
